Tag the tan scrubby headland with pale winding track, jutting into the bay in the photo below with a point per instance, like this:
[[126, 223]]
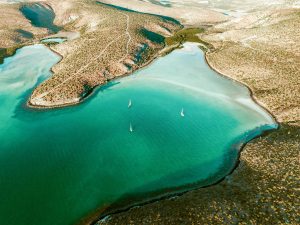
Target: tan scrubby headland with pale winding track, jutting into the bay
[[113, 42]]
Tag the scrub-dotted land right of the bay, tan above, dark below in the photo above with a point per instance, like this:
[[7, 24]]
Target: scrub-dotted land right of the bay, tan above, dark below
[[262, 188]]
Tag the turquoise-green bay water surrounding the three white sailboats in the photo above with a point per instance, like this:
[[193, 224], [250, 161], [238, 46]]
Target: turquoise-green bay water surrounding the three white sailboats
[[57, 166]]
